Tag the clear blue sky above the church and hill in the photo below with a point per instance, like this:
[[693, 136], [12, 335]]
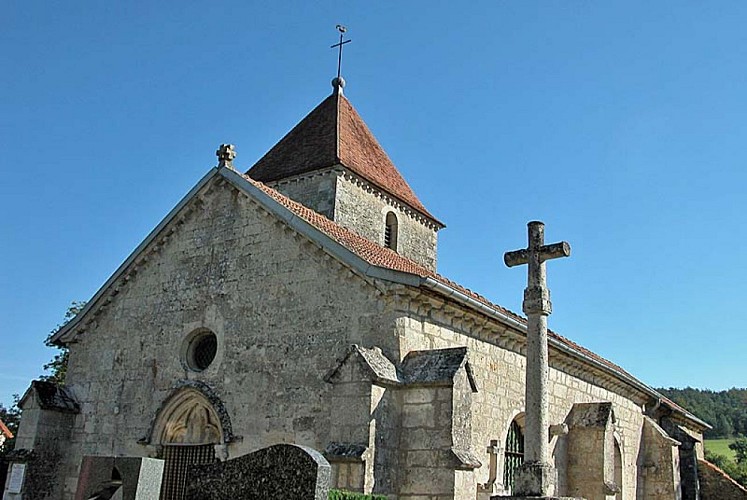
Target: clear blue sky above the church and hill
[[621, 125]]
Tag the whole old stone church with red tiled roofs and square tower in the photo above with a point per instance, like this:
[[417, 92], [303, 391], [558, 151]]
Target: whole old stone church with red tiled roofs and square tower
[[299, 302]]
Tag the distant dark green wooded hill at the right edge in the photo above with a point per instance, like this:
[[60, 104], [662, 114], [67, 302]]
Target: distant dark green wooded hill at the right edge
[[726, 411]]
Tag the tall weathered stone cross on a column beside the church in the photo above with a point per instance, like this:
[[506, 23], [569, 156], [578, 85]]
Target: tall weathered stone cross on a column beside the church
[[537, 477]]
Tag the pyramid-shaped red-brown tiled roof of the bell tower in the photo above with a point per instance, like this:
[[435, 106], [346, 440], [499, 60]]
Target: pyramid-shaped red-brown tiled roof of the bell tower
[[335, 134]]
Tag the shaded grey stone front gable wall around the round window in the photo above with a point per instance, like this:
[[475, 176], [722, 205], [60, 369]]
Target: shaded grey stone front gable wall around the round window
[[281, 309]]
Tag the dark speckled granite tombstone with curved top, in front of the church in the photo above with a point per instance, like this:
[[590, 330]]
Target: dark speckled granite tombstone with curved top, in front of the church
[[284, 471]]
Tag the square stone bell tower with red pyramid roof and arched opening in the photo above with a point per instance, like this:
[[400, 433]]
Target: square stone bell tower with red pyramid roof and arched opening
[[332, 163]]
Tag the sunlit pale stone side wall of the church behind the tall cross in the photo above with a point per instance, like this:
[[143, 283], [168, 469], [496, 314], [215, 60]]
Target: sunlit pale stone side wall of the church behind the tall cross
[[496, 356]]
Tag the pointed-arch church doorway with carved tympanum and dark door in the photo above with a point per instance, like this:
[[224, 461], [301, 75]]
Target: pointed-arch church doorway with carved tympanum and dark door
[[187, 429]]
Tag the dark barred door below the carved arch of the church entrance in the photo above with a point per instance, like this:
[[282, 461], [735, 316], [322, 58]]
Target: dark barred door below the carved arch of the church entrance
[[177, 460]]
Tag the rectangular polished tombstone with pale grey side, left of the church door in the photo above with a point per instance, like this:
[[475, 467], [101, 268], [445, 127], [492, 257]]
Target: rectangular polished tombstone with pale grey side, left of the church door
[[125, 478]]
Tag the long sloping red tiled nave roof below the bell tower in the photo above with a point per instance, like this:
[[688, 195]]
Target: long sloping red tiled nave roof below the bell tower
[[378, 255]]
